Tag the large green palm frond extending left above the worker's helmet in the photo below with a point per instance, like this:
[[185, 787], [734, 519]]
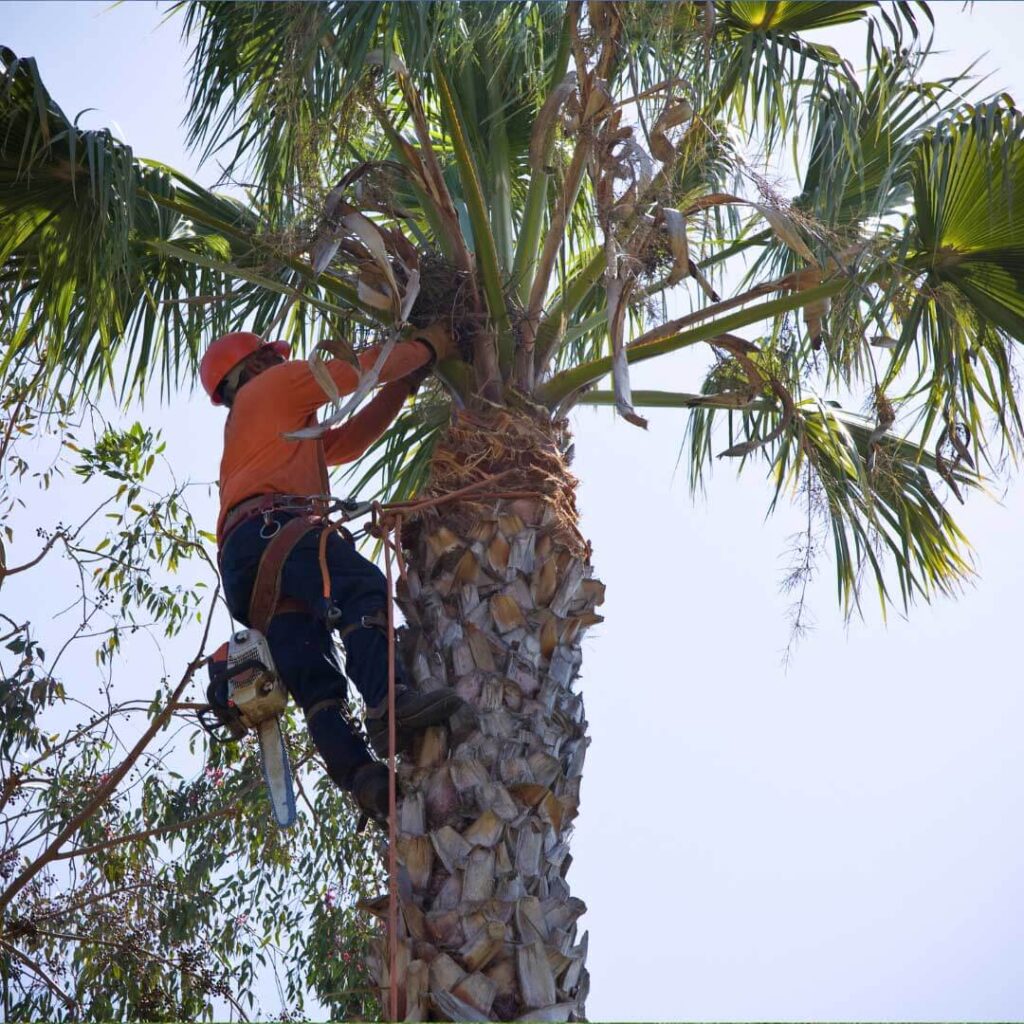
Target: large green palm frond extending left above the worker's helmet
[[115, 270]]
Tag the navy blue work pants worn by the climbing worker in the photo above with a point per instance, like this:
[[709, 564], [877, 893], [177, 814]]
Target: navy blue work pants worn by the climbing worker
[[302, 645]]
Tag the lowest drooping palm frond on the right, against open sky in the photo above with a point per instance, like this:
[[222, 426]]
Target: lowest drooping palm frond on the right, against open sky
[[871, 491]]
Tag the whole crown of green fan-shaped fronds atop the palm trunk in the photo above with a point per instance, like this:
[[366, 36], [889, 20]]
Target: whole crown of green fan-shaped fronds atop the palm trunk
[[426, 115]]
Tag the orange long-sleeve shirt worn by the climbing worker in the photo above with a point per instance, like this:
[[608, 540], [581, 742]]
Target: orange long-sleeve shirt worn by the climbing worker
[[258, 460]]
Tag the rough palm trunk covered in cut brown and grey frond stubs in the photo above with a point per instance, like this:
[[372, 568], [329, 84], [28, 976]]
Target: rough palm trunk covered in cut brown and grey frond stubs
[[498, 594]]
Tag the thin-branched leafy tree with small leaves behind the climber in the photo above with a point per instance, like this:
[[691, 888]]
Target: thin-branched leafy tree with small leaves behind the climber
[[135, 866]]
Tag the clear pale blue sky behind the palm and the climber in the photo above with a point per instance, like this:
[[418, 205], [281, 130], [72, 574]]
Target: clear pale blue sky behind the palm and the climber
[[841, 840]]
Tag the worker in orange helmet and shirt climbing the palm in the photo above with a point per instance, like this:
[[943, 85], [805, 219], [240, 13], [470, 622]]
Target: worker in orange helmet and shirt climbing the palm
[[270, 489]]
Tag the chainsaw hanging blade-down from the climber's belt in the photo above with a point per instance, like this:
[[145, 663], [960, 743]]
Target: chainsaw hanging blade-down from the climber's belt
[[246, 694]]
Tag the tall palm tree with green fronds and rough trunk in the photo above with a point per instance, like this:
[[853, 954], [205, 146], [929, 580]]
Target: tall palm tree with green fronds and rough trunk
[[542, 176]]
